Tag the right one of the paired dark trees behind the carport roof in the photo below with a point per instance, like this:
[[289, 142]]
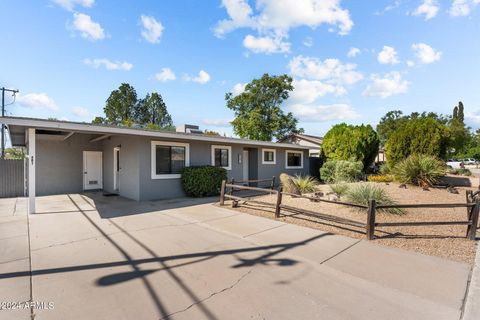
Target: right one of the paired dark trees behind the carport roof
[[152, 111]]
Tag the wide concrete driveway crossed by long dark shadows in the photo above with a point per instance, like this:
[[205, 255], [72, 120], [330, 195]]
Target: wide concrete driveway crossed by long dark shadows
[[95, 257]]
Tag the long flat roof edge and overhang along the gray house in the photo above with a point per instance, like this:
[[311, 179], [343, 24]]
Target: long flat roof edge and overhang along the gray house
[[17, 126]]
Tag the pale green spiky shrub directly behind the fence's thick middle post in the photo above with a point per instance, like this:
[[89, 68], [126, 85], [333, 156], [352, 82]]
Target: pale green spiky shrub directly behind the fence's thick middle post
[[363, 193]]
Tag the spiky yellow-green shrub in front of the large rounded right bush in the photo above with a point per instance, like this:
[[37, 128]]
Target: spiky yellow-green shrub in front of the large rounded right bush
[[420, 170]]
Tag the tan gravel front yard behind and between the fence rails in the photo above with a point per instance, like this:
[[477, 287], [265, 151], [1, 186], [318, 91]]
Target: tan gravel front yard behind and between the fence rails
[[447, 241]]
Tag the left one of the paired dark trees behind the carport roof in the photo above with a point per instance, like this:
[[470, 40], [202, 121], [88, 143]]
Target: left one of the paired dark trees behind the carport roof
[[120, 105]]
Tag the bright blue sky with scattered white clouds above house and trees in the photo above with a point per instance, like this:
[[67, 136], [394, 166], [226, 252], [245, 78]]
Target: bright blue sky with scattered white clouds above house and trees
[[350, 60]]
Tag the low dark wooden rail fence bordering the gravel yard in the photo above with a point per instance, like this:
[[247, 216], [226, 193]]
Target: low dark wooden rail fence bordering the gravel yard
[[472, 206]]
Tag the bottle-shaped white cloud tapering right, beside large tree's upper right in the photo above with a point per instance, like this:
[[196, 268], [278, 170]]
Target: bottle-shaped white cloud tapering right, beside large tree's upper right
[[307, 91]]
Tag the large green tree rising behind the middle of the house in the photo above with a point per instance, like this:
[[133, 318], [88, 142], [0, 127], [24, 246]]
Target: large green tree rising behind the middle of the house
[[258, 112]]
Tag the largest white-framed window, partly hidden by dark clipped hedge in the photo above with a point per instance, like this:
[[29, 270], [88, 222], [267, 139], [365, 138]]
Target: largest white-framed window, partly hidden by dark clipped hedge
[[168, 159]]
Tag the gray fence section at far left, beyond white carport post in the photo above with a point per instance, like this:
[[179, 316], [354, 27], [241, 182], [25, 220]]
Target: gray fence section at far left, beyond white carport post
[[12, 178]]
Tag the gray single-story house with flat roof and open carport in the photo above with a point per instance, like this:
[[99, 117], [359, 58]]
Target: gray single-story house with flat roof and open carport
[[140, 164]]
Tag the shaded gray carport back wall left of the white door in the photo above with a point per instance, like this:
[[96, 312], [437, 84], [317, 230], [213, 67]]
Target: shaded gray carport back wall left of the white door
[[59, 166]]
